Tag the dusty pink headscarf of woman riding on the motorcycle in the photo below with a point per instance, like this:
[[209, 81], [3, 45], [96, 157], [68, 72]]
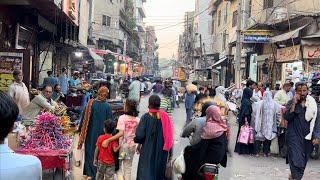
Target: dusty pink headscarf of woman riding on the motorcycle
[[215, 126]]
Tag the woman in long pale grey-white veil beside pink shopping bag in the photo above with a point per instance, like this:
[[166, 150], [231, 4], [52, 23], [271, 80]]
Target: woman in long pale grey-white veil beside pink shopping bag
[[265, 123]]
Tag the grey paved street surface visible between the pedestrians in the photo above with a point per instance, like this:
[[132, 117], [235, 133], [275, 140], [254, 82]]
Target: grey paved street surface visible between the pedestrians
[[239, 167]]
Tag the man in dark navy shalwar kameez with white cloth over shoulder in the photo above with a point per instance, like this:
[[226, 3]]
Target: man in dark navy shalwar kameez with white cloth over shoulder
[[301, 115]]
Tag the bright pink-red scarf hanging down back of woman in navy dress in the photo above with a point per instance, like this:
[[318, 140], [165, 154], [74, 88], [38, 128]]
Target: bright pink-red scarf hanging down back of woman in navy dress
[[167, 128]]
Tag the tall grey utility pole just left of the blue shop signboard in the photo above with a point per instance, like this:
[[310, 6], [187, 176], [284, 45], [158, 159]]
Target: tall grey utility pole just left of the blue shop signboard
[[238, 46]]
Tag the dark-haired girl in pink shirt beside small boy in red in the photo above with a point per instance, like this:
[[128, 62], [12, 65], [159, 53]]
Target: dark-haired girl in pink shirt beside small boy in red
[[126, 126]]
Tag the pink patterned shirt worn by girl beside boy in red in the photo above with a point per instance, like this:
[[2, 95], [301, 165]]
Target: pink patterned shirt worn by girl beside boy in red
[[129, 125]]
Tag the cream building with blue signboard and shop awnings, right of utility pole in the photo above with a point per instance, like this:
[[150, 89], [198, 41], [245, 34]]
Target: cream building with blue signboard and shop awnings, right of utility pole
[[282, 35]]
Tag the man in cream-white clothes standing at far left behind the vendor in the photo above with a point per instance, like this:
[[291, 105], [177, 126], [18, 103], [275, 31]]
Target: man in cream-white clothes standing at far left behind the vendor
[[18, 91]]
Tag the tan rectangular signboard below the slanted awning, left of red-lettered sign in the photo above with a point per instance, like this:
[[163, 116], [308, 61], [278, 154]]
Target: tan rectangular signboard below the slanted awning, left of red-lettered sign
[[288, 54]]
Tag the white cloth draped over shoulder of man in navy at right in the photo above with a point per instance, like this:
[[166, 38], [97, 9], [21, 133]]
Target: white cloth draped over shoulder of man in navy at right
[[311, 114]]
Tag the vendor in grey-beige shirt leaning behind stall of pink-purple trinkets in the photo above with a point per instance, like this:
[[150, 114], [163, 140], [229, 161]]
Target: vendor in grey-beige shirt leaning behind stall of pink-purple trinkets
[[41, 102]]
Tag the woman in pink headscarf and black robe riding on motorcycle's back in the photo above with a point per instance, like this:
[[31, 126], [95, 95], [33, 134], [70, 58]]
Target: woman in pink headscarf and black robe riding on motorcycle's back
[[211, 149]]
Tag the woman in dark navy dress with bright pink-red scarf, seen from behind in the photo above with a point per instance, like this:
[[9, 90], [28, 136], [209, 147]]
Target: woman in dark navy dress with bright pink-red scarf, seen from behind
[[154, 135]]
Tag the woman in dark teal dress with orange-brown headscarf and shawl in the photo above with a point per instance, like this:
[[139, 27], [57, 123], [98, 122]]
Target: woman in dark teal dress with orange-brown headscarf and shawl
[[94, 115]]
